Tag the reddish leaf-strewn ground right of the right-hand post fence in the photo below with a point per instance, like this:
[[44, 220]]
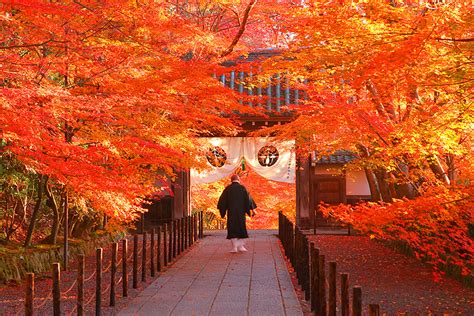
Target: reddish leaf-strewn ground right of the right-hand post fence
[[394, 281]]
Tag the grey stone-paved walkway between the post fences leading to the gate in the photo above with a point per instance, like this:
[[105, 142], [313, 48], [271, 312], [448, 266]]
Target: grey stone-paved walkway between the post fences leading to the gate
[[211, 281]]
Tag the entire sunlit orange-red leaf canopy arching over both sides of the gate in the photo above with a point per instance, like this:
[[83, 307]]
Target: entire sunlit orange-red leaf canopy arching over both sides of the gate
[[103, 95]]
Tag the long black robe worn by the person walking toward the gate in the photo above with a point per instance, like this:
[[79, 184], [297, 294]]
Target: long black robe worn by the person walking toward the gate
[[236, 201]]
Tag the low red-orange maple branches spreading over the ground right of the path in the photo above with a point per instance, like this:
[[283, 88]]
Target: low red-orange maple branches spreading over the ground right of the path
[[437, 226]]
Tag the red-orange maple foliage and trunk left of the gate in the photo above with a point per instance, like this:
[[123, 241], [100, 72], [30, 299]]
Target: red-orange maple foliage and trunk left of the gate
[[99, 98]]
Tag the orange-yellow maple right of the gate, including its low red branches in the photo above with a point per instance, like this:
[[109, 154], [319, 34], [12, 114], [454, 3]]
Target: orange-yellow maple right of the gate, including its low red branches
[[392, 82]]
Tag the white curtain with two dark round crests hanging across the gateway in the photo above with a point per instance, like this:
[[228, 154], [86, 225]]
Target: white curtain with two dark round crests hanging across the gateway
[[272, 160]]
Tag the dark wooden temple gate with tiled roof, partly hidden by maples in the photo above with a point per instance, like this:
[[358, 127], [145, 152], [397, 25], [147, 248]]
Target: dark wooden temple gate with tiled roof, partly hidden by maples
[[317, 179]]
